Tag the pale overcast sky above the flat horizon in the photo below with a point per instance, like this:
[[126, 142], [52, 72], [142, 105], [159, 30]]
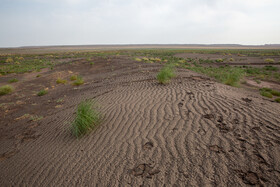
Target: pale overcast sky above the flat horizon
[[78, 22]]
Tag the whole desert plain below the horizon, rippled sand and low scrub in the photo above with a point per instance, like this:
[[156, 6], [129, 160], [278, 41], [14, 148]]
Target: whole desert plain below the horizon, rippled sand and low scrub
[[210, 125]]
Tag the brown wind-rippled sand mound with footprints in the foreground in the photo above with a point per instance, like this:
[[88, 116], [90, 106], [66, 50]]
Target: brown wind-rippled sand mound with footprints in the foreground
[[192, 132]]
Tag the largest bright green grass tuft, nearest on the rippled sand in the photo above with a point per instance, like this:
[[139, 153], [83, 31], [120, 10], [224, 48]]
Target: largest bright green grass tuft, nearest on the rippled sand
[[87, 117]]
